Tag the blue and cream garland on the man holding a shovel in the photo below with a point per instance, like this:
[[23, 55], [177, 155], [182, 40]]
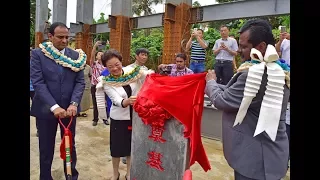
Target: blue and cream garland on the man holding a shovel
[[53, 53]]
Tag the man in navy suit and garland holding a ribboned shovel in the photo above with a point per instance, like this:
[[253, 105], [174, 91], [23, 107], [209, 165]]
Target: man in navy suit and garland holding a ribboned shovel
[[58, 91]]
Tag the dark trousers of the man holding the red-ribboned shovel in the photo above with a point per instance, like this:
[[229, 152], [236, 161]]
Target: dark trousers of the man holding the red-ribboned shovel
[[47, 136]]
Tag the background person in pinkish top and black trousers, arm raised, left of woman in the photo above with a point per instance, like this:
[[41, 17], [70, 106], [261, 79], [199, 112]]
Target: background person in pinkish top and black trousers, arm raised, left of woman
[[97, 68]]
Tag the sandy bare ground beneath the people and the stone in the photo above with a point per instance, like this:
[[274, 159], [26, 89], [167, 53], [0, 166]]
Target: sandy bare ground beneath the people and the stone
[[94, 160]]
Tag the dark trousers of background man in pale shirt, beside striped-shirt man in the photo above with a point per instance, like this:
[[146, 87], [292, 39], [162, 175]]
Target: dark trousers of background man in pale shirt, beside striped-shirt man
[[224, 71]]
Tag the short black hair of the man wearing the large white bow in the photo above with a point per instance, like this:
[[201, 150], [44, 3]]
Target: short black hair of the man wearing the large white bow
[[260, 30]]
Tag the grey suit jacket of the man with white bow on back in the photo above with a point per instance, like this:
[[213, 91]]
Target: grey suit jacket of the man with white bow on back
[[254, 157]]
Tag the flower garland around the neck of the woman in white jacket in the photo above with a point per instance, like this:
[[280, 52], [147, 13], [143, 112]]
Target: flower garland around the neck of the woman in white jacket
[[124, 79]]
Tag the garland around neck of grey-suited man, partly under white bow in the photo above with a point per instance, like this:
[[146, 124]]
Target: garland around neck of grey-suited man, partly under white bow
[[282, 63]]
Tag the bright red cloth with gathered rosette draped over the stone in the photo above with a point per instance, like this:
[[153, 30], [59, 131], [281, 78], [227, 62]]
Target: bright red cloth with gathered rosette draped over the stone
[[183, 98]]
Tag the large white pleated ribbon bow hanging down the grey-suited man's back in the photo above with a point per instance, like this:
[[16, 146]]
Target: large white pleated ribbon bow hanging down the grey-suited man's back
[[271, 106]]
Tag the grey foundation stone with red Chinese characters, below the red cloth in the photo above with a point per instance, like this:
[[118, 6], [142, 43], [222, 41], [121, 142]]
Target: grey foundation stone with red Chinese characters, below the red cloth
[[175, 151]]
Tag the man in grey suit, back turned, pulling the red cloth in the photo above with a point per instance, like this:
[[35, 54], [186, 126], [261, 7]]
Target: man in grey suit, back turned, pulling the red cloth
[[252, 155]]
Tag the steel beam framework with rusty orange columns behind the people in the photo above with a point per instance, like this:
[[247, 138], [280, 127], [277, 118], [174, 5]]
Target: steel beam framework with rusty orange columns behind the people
[[176, 20]]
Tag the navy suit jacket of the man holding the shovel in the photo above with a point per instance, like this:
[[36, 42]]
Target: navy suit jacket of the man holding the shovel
[[53, 84]]
